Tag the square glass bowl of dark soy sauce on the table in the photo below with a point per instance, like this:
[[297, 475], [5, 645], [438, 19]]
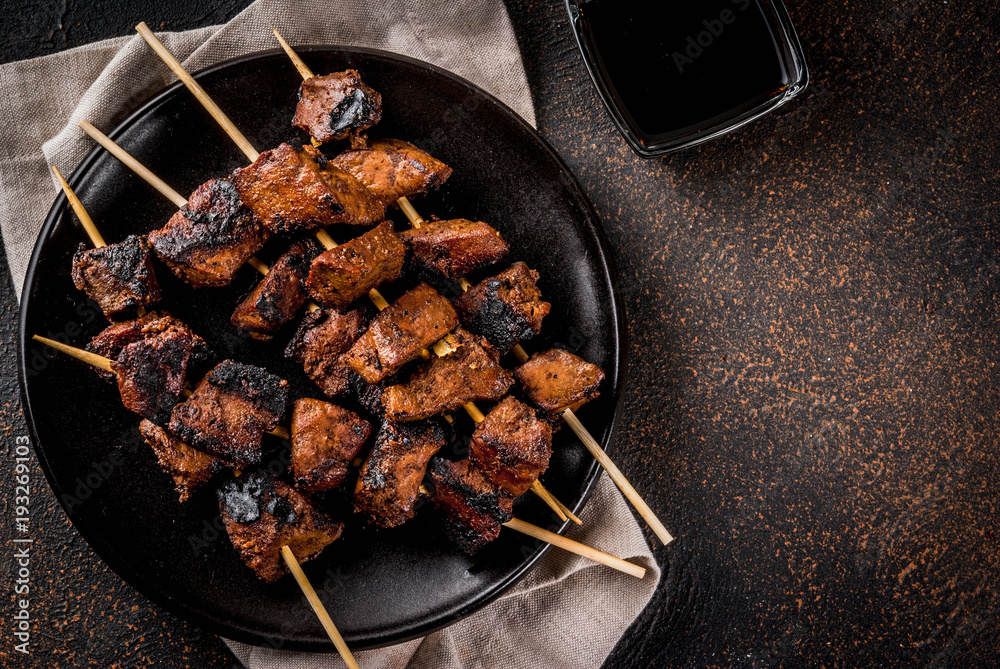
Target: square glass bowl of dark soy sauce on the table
[[676, 68]]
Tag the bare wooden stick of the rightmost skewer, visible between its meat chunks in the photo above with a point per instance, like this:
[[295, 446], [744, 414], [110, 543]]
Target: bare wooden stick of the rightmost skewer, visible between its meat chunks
[[565, 411]]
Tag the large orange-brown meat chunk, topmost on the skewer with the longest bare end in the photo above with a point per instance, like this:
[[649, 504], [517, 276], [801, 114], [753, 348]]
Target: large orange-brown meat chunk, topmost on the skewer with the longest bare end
[[291, 190]]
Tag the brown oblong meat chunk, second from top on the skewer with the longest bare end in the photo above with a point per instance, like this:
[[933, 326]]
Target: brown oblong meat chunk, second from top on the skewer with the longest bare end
[[345, 273]]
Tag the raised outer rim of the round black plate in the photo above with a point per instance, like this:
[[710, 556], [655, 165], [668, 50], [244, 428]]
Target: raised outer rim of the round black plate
[[181, 608]]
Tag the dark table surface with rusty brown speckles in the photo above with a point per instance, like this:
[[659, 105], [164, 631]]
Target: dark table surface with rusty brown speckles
[[813, 321]]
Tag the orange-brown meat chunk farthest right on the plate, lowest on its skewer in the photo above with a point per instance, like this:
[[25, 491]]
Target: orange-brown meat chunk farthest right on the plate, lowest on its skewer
[[556, 380]]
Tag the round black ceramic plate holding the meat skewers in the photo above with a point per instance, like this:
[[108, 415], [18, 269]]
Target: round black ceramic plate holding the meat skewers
[[383, 586]]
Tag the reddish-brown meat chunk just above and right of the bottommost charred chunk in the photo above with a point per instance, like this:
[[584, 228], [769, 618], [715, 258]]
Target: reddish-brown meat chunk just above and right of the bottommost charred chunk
[[325, 438]]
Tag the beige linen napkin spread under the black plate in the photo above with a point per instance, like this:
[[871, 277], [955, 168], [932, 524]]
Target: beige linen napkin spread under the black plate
[[569, 612]]
